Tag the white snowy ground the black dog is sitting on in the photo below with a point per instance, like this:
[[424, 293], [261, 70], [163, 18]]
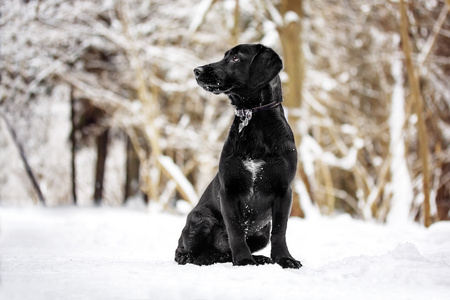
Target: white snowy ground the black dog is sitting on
[[106, 253]]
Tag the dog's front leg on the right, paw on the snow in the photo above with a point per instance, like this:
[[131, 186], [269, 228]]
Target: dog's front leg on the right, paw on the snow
[[280, 213]]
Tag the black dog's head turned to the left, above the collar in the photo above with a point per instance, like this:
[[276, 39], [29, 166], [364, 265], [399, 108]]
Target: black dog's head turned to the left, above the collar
[[244, 70]]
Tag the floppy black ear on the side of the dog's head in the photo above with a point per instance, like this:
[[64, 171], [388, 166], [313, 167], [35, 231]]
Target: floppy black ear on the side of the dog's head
[[266, 64]]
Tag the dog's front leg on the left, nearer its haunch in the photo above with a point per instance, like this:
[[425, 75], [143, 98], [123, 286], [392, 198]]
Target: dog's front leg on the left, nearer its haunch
[[236, 235]]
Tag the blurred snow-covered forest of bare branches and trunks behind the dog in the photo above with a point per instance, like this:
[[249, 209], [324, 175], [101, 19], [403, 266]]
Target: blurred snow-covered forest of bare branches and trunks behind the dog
[[99, 104]]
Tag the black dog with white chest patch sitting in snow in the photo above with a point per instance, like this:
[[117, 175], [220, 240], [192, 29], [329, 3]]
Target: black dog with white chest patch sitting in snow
[[257, 165]]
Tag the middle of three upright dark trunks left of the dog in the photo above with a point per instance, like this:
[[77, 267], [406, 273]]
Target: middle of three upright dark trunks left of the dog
[[102, 149]]
